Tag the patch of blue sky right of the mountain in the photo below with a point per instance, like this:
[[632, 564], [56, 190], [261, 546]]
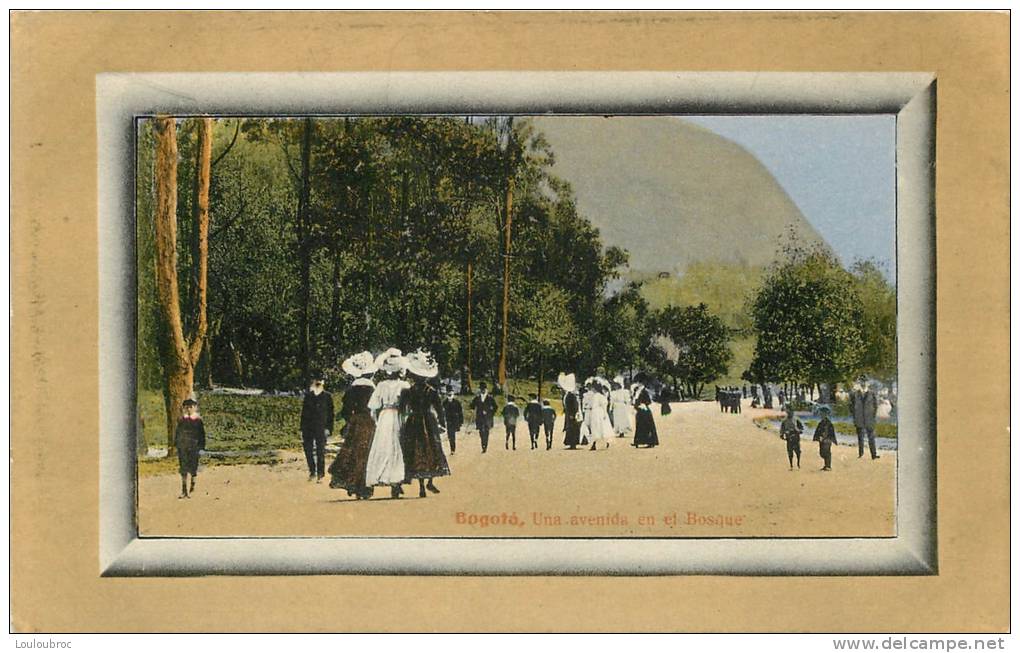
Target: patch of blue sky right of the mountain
[[839, 170]]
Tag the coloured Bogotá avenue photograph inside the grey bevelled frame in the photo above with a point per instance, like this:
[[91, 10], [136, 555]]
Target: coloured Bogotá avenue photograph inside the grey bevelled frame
[[517, 326]]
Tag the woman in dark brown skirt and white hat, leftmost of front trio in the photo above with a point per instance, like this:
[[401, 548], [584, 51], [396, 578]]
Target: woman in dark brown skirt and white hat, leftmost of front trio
[[349, 468]]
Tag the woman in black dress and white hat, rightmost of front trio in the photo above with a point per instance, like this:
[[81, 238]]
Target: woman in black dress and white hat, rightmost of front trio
[[422, 443]]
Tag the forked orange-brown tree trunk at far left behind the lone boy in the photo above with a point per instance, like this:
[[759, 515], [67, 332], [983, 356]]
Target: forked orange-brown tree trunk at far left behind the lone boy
[[182, 353]]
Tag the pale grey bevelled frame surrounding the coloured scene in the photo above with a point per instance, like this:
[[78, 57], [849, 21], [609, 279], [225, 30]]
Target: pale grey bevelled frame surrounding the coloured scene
[[121, 97]]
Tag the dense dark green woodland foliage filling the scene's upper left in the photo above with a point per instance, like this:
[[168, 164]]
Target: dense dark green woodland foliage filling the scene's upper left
[[330, 236]]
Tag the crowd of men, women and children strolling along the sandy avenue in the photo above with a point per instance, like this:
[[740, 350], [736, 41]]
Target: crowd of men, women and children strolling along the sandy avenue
[[395, 420]]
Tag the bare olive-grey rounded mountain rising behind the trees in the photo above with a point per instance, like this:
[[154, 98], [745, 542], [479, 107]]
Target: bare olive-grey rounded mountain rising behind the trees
[[671, 192]]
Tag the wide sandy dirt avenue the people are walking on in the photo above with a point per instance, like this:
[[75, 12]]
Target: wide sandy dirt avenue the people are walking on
[[719, 470]]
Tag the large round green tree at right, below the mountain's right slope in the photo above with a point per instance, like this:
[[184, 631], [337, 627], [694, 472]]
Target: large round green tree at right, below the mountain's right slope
[[807, 320]]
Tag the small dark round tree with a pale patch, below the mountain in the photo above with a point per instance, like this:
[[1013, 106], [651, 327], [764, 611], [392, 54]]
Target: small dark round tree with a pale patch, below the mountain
[[695, 344]]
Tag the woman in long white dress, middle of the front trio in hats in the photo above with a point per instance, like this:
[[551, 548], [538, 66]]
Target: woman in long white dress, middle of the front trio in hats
[[386, 460]]
